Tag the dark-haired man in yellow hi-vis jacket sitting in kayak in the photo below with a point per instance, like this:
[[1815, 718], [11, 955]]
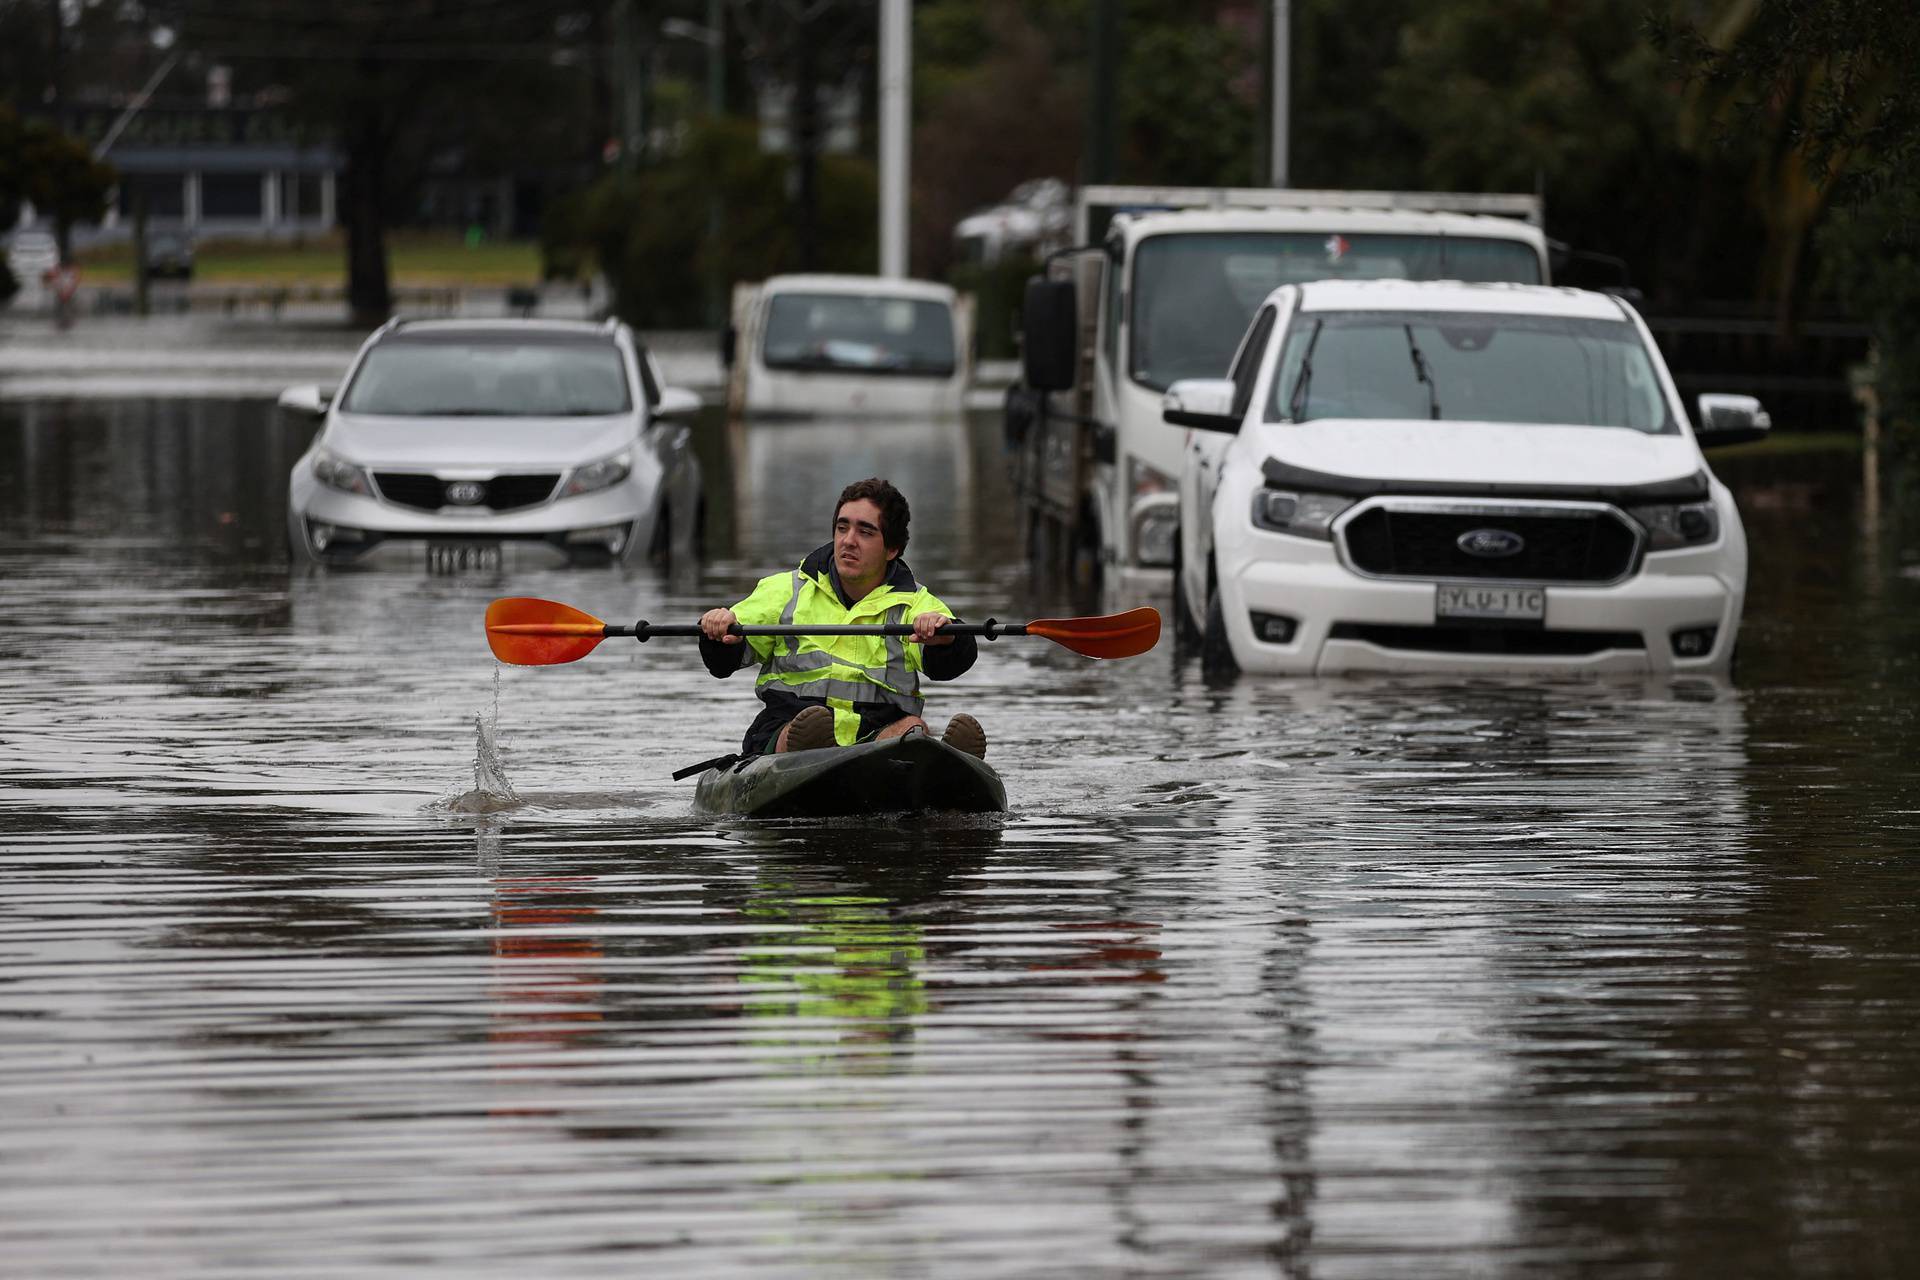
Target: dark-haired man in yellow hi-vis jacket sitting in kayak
[[844, 690]]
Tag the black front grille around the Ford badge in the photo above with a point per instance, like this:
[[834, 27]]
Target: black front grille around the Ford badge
[[1558, 544]]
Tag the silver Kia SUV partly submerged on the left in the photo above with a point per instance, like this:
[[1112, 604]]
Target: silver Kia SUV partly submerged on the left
[[475, 440]]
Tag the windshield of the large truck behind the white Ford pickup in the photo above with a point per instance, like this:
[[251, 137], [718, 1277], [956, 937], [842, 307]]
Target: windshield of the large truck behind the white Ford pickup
[[1193, 295]]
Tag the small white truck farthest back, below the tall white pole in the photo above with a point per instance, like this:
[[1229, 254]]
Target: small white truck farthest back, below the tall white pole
[[850, 346]]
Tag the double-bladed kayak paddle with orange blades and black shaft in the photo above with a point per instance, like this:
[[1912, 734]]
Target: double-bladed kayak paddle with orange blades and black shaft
[[531, 632]]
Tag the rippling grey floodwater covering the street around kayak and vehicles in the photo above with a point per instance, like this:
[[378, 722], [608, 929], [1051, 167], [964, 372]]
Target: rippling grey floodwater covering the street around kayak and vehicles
[[1266, 980]]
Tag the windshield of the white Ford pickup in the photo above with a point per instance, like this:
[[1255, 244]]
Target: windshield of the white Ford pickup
[[1468, 366]]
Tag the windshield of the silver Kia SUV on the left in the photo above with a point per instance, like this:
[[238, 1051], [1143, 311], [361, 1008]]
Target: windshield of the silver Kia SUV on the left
[[491, 375]]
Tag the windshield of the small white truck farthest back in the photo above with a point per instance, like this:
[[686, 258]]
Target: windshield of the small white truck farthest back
[[859, 333]]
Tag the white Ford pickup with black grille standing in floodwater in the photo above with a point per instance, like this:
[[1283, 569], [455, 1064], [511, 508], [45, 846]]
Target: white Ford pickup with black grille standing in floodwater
[[1456, 477]]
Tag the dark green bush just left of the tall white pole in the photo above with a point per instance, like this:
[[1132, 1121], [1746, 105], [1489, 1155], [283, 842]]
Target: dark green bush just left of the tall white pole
[[648, 231]]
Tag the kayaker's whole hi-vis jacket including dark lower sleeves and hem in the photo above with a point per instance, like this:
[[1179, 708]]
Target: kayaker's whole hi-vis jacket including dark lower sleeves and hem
[[869, 680]]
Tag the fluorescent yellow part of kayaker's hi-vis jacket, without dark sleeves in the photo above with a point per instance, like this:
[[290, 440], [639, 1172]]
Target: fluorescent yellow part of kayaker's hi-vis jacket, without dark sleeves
[[853, 675]]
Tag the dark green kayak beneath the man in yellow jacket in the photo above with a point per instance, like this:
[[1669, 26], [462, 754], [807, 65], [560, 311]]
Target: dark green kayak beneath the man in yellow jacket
[[901, 774]]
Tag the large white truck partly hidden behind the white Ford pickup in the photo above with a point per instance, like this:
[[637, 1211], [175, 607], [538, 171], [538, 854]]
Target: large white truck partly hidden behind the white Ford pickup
[[1166, 295]]
